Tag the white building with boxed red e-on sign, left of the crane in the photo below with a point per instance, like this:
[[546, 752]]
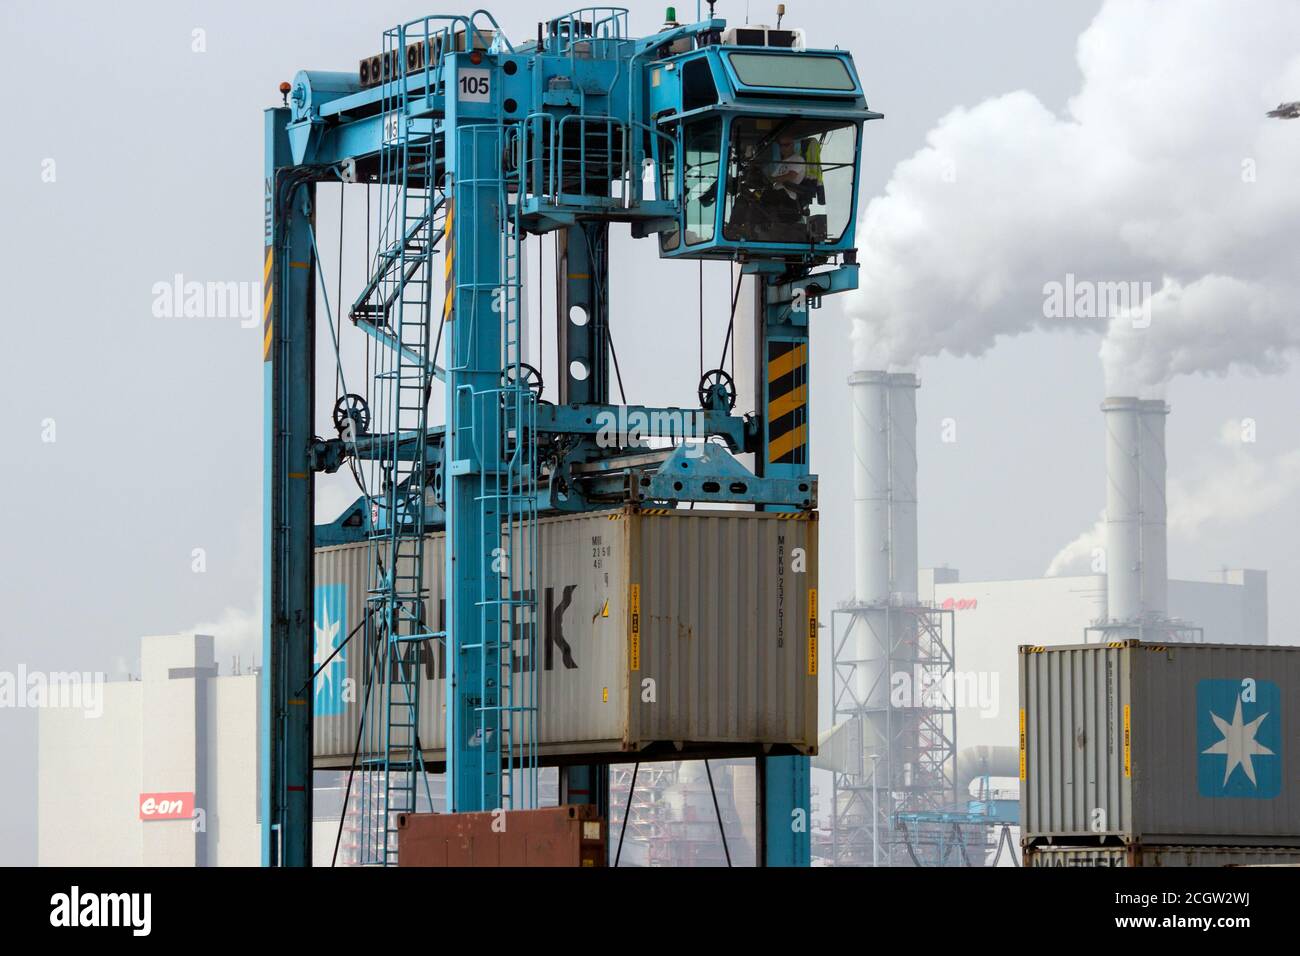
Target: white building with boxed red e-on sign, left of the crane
[[163, 775]]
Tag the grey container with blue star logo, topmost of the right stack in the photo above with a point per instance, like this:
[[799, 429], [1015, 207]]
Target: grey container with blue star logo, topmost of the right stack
[[1133, 743]]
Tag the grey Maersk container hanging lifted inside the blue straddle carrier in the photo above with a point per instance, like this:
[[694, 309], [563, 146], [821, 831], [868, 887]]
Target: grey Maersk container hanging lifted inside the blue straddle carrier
[[660, 633]]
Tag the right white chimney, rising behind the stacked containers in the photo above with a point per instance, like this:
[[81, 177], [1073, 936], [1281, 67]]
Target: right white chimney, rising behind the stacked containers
[[1137, 537]]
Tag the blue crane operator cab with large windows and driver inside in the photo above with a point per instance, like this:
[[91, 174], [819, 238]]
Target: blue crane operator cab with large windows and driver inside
[[769, 146]]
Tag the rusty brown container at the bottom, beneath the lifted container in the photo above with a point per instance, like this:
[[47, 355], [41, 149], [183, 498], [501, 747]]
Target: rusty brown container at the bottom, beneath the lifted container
[[551, 837]]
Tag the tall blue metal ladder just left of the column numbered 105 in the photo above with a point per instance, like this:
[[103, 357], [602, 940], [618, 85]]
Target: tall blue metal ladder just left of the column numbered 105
[[397, 302]]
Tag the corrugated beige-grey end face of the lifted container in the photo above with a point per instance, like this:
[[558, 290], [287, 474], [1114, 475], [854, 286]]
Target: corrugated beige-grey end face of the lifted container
[[729, 629]]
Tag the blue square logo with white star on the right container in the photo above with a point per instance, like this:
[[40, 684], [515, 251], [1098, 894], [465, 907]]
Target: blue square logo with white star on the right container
[[1240, 739]]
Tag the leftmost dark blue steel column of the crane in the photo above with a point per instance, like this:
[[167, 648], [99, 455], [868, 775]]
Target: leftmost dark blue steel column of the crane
[[288, 521]]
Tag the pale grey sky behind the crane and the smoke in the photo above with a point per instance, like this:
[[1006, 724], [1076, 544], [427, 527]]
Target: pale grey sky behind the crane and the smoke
[[158, 171]]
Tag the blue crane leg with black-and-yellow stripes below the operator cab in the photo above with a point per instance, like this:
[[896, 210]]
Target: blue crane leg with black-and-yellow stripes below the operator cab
[[783, 365]]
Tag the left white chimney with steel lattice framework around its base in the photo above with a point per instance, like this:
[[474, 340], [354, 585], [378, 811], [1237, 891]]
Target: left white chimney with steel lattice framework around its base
[[907, 754]]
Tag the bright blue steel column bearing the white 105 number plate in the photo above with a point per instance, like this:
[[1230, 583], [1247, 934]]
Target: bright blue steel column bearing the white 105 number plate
[[474, 344]]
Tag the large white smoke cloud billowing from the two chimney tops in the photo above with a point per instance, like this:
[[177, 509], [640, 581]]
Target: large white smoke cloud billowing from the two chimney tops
[[1164, 180]]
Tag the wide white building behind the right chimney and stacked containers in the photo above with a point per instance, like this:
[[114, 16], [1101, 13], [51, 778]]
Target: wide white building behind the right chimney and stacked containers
[[994, 618]]
